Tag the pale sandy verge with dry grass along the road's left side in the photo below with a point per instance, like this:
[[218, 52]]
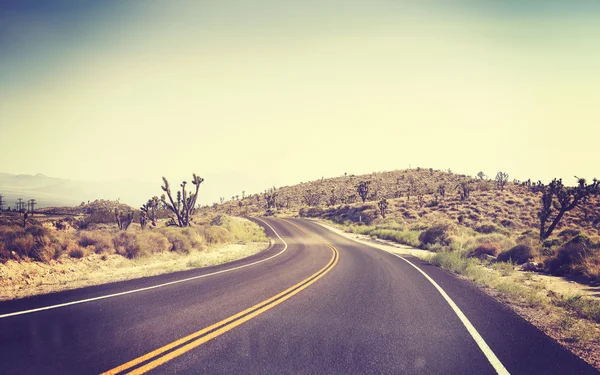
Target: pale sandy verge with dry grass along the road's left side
[[24, 279]]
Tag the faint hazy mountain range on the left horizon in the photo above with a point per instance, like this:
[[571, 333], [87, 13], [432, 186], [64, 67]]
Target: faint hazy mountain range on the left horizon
[[52, 191]]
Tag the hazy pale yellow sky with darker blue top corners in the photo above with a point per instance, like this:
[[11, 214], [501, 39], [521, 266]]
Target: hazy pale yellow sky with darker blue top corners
[[277, 92]]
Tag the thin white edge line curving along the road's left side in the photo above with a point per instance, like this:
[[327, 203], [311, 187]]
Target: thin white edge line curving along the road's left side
[[151, 287]]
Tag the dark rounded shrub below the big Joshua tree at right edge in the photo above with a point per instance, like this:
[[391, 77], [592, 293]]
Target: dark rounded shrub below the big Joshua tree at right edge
[[570, 255]]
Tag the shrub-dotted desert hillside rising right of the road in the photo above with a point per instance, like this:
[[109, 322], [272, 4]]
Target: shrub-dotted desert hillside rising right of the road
[[443, 211]]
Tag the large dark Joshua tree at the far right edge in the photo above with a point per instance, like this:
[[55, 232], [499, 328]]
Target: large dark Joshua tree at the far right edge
[[561, 198]]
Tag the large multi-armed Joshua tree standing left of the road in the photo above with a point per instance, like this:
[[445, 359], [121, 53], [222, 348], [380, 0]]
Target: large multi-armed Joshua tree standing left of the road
[[186, 202]]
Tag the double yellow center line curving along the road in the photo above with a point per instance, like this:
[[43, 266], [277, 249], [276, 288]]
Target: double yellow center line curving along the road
[[158, 357]]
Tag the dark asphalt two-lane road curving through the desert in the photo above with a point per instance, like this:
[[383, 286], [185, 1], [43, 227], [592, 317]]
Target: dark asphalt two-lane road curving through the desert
[[314, 303]]
